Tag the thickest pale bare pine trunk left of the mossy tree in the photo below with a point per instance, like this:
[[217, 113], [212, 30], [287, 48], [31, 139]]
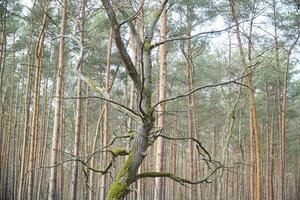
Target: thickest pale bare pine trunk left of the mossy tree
[[57, 112]]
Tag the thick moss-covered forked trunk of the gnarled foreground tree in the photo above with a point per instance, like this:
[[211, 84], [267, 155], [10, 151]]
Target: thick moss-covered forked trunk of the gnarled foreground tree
[[143, 84]]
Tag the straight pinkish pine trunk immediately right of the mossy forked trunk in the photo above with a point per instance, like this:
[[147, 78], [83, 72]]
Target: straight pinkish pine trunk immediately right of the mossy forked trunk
[[159, 166]]
